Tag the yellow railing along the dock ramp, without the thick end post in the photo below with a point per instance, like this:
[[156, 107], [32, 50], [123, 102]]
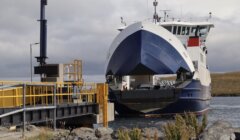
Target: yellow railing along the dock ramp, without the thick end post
[[42, 93]]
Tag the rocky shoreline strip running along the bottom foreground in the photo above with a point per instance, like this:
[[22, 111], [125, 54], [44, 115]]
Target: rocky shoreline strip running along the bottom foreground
[[217, 130]]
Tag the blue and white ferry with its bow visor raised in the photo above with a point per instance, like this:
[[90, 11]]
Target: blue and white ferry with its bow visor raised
[[160, 67]]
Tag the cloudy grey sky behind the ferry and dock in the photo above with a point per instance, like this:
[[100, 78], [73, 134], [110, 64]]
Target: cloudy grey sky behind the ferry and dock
[[84, 29]]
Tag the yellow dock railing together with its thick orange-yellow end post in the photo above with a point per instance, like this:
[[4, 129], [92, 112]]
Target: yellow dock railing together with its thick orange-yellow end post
[[43, 93]]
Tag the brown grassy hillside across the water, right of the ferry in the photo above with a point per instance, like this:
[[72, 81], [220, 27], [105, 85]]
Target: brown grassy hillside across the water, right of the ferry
[[225, 84]]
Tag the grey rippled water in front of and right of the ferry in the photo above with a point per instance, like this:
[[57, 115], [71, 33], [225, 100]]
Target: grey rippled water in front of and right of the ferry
[[221, 108]]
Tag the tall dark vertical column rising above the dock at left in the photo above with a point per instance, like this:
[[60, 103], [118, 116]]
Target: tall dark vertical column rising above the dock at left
[[43, 35]]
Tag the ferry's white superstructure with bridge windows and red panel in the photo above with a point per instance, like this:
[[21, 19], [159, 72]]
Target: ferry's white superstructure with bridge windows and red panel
[[193, 36]]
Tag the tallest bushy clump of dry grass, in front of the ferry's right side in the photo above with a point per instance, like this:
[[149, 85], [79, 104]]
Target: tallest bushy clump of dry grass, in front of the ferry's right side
[[185, 127]]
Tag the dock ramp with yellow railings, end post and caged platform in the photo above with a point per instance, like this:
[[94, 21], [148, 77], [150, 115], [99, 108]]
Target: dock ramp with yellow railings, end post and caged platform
[[72, 101]]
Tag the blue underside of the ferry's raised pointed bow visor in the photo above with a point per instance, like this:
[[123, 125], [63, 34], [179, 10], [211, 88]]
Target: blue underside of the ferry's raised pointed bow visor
[[144, 53]]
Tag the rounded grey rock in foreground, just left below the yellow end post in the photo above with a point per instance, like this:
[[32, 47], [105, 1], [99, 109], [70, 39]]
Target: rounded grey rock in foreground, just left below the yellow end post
[[84, 133]]
